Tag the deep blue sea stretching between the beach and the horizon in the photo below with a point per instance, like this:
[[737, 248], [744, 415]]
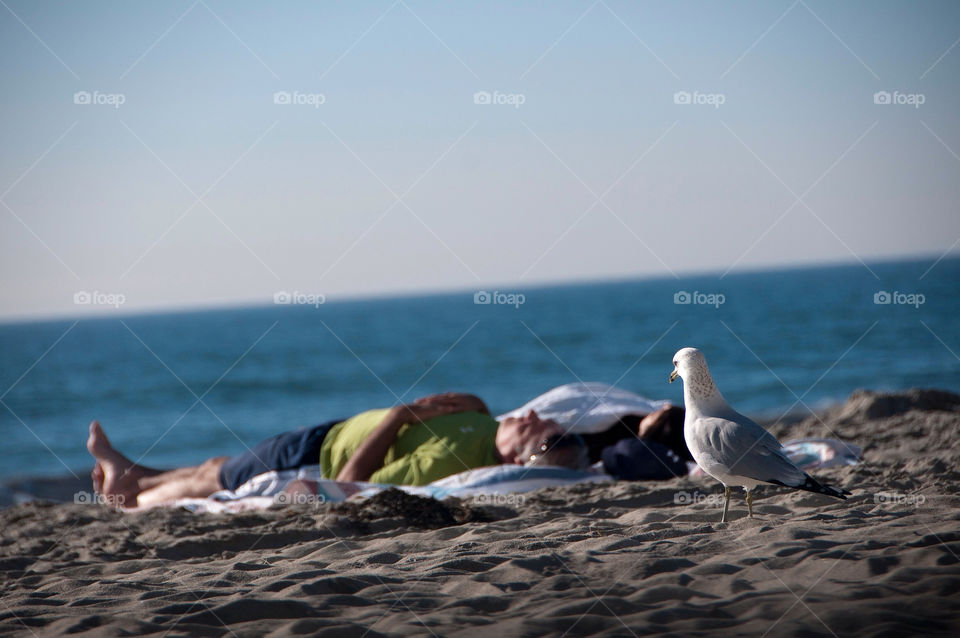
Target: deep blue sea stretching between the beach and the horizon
[[174, 389]]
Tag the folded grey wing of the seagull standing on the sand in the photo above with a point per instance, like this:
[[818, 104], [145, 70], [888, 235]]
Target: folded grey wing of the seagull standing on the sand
[[747, 449]]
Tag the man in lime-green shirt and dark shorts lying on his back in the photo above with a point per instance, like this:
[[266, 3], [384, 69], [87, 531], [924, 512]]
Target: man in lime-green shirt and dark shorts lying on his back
[[412, 444]]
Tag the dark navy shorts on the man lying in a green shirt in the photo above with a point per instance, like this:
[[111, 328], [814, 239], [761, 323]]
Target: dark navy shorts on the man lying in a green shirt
[[287, 451]]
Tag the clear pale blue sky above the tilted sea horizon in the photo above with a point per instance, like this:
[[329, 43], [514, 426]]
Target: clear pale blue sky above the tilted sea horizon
[[205, 153]]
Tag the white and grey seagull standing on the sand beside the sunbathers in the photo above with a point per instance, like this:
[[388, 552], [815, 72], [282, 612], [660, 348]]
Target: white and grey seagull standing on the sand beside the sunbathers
[[727, 445]]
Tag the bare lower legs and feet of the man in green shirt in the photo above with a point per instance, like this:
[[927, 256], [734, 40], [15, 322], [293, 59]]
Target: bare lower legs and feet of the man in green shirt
[[129, 484]]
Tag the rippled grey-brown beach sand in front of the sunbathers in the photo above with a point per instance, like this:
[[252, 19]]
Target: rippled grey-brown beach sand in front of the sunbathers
[[618, 559]]
